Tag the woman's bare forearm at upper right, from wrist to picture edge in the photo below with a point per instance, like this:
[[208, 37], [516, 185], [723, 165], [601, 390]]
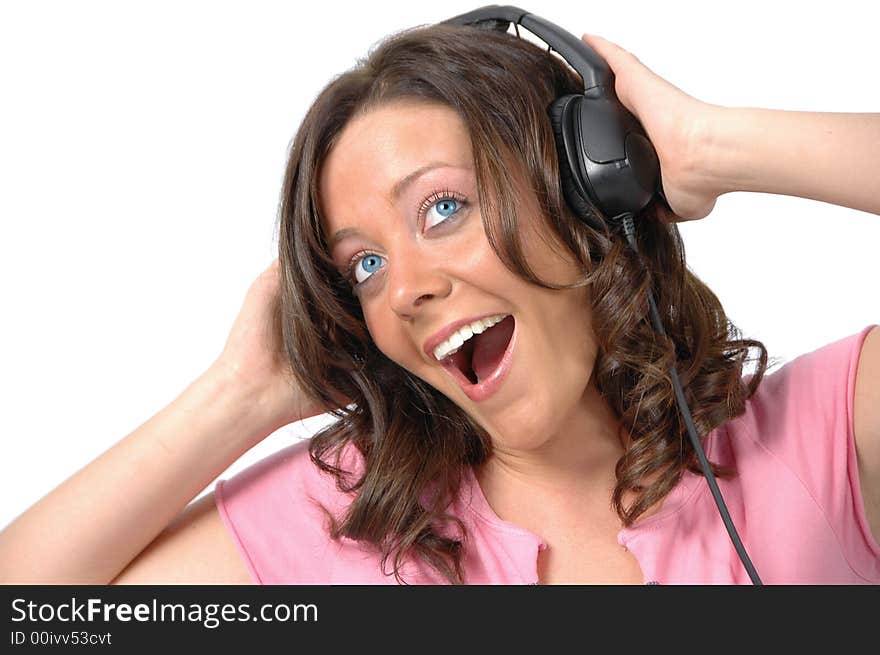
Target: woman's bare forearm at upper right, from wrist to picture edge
[[831, 157]]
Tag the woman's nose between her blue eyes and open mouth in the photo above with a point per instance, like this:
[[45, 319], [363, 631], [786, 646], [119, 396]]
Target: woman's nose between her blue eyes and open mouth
[[415, 278]]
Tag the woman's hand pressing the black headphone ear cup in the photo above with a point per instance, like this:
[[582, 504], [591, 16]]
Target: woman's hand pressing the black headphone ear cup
[[677, 125]]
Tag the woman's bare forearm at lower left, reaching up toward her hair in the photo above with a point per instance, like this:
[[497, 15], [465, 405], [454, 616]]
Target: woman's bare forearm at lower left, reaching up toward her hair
[[91, 526]]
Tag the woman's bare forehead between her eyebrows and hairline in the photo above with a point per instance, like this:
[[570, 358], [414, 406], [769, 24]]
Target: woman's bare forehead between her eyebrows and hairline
[[378, 148]]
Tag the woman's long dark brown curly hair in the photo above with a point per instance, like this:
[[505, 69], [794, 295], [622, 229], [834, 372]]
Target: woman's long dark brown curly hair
[[416, 441]]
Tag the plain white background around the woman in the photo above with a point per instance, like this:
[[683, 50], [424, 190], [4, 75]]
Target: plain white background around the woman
[[142, 148]]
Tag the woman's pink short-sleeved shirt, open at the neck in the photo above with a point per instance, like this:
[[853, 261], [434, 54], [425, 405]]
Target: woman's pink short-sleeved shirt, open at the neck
[[796, 503]]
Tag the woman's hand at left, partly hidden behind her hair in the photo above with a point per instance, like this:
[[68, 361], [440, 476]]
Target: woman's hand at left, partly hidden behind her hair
[[253, 357]]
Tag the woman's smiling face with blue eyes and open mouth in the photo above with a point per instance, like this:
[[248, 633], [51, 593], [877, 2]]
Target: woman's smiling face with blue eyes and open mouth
[[422, 261]]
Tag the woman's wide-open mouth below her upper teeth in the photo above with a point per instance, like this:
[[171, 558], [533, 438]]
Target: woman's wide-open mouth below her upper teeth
[[481, 362]]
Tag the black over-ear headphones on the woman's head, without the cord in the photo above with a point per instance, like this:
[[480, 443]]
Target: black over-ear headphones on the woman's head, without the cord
[[605, 157]]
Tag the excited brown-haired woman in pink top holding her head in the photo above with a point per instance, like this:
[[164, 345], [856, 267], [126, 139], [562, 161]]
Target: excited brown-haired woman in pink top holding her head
[[547, 447]]
